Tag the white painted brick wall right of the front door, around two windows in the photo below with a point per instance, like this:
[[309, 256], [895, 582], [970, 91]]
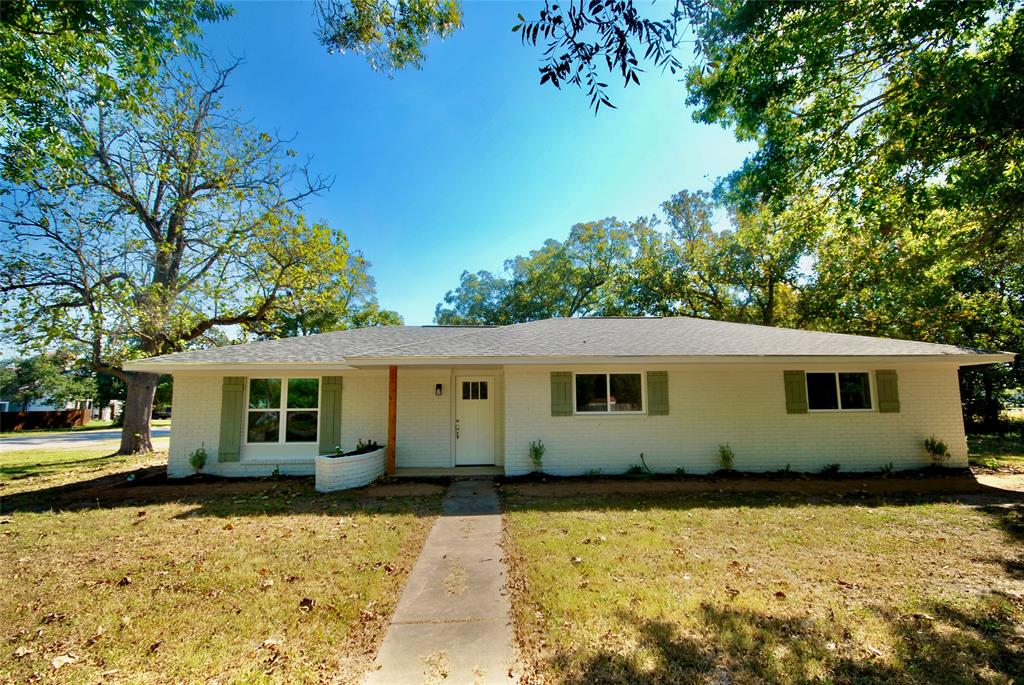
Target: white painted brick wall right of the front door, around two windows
[[742, 405]]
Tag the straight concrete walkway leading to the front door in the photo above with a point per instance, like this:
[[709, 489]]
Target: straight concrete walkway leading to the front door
[[452, 624]]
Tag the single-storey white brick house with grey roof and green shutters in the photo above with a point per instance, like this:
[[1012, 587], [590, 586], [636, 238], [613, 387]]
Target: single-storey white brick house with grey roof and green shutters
[[596, 392]]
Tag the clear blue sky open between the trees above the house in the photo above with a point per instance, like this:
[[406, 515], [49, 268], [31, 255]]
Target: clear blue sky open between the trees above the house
[[468, 161]]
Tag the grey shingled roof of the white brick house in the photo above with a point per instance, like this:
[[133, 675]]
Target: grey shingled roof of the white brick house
[[598, 339]]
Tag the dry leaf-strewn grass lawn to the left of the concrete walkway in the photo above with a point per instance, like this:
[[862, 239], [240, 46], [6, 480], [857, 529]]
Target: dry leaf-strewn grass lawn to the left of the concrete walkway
[[112, 574]]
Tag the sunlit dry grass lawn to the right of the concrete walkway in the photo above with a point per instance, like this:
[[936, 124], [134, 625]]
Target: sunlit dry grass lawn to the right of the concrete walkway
[[745, 588]]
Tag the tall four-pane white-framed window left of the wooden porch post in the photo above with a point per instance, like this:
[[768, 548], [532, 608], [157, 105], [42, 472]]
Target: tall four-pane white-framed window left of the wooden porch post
[[276, 403]]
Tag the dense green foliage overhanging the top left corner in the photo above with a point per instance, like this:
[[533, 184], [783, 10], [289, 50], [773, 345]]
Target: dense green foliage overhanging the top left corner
[[51, 51]]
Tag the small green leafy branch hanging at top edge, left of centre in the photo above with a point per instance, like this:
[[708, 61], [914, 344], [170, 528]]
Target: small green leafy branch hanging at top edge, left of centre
[[393, 34]]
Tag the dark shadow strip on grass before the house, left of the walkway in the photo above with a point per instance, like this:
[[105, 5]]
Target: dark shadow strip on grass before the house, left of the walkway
[[214, 496]]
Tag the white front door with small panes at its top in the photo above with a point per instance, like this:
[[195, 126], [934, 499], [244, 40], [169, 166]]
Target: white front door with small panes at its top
[[475, 420]]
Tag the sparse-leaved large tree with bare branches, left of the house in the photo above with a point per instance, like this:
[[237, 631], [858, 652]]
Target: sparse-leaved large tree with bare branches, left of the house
[[173, 226]]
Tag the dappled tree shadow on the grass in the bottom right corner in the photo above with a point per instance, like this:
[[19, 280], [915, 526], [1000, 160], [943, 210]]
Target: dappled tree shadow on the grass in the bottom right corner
[[952, 646]]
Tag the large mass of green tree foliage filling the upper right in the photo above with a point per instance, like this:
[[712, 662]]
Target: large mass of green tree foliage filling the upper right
[[897, 127]]
